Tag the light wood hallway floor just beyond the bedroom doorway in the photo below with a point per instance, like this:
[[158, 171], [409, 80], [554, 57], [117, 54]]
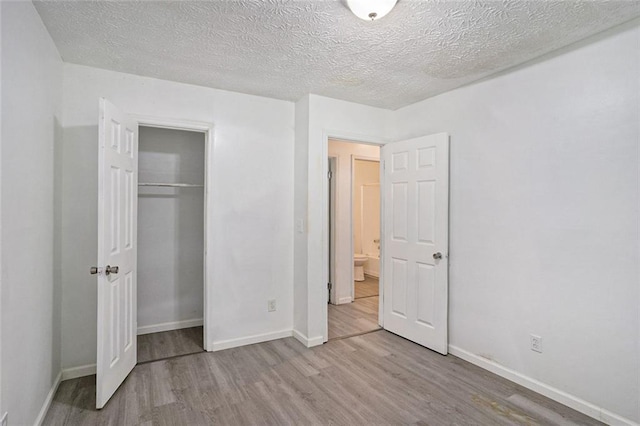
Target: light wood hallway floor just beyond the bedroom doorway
[[357, 317]]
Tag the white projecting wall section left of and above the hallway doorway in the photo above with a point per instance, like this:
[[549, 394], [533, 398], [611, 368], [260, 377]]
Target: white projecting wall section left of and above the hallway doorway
[[326, 118]]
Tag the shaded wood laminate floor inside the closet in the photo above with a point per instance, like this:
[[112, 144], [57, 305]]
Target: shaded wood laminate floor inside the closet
[[169, 343]]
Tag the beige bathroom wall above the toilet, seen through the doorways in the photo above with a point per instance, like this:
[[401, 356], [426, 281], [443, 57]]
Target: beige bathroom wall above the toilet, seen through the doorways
[[365, 172]]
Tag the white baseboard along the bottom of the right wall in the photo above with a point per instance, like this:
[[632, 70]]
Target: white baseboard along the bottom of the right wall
[[557, 395]]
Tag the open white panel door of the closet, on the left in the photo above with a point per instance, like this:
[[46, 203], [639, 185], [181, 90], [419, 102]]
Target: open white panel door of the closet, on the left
[[117, 245]]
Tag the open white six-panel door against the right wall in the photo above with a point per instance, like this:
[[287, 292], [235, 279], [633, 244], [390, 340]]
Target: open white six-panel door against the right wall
[[416, 239]]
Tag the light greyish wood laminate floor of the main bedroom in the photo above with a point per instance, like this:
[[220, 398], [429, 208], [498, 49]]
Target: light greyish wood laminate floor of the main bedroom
[[377, 378]]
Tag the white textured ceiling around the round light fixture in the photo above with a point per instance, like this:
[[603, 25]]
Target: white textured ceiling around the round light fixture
[[286, 49]]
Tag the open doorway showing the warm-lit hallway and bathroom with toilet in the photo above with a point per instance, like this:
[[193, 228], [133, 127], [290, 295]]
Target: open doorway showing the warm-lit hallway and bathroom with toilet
[[354, 238]]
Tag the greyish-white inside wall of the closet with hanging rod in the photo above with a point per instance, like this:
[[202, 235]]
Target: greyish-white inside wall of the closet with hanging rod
[[170, 227]]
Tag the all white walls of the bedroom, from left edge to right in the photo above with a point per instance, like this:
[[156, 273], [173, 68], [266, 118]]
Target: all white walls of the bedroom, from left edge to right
[[545, 157]]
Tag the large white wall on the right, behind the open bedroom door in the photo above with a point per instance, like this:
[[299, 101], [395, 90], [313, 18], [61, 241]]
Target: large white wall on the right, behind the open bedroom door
[[544, 217]]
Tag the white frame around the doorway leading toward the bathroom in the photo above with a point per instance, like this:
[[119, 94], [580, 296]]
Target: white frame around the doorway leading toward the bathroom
[[352, 138]]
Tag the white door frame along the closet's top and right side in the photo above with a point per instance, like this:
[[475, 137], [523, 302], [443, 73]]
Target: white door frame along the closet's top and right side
[[208, 129]]
